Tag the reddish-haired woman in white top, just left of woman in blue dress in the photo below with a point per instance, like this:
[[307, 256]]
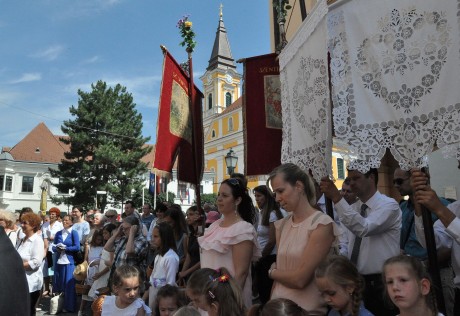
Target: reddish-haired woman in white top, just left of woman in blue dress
[[49, 230]]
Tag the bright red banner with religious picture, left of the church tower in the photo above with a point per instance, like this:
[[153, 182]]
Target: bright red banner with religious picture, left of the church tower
[[179, 127]]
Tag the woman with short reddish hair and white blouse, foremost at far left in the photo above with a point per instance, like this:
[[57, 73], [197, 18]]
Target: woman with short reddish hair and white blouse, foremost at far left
[[31, 250]]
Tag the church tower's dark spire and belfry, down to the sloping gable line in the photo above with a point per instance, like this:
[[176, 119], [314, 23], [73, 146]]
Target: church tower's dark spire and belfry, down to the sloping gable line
[[221, 81]]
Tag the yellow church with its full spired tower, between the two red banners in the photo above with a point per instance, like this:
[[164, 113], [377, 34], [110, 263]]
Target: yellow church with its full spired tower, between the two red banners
[[222, 109]]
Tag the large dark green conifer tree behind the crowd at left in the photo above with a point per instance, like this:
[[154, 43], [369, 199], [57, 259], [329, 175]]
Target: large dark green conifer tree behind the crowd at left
[[105, 148]]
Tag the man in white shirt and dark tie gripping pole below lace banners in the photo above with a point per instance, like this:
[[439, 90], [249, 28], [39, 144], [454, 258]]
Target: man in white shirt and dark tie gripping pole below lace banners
[[373, 225]]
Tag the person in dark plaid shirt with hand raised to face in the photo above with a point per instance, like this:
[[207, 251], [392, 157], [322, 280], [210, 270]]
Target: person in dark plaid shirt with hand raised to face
[[128, 245]]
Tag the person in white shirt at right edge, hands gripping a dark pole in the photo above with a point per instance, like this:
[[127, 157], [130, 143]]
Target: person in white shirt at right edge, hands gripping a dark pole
[[446, 228]]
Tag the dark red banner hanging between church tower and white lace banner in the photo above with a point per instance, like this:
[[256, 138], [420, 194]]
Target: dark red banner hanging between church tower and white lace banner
[[262, 114]]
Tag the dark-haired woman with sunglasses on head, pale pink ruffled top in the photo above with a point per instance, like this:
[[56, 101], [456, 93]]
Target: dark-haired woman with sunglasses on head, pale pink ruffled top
[[231, 241]]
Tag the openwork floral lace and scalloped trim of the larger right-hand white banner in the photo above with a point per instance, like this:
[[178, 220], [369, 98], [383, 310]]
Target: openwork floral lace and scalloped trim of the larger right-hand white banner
[[411, 136]]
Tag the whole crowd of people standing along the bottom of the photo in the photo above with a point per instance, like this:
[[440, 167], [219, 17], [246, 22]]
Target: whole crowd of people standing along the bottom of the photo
[[284, 257]]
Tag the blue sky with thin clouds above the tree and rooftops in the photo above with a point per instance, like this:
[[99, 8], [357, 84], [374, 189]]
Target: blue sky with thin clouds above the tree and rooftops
[[51, 48]]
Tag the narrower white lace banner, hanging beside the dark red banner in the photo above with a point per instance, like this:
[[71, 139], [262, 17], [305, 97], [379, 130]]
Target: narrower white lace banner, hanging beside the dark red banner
[[307, 139]]
